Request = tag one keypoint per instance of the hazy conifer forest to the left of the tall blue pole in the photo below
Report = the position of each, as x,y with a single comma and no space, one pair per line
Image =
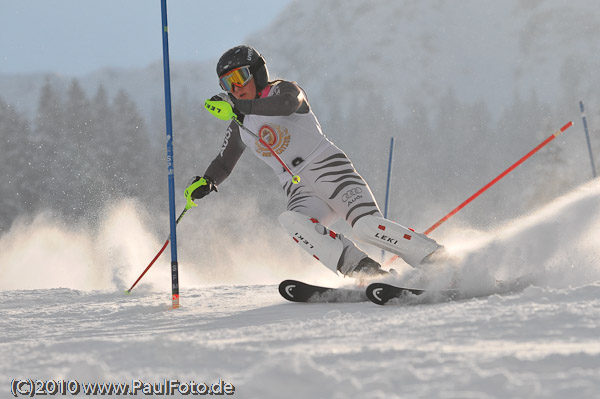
77,153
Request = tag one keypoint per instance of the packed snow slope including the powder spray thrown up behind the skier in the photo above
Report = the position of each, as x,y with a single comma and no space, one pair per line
64,315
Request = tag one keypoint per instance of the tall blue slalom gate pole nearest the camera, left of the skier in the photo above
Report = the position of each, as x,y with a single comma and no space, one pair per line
170,161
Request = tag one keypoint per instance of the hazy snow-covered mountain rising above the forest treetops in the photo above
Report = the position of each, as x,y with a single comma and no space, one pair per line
405,51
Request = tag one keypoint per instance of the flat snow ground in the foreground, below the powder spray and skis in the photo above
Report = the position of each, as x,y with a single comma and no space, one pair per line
540,343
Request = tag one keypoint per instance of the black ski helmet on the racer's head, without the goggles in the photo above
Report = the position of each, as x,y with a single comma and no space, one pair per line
245,56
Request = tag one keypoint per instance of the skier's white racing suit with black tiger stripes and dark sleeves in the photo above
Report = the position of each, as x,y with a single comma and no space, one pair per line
329,189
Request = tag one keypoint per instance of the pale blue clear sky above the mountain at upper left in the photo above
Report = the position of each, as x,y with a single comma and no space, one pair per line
76,37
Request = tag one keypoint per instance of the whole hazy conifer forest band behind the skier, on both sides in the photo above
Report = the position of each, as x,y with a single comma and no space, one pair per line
79,151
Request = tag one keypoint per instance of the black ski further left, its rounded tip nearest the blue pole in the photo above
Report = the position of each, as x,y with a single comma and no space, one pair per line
297,291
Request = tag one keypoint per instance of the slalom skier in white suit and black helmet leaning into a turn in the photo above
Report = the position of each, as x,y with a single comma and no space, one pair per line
328,188
